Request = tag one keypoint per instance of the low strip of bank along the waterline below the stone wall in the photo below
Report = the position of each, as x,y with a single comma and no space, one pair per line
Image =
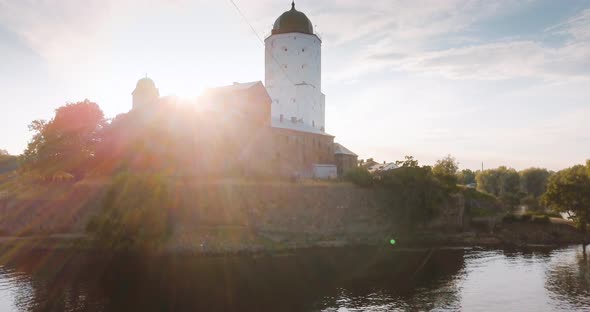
240,240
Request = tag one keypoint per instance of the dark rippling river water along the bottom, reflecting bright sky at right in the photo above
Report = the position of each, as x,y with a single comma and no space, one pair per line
343,279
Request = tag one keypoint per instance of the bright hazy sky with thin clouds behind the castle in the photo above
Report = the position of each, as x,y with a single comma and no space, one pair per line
492,82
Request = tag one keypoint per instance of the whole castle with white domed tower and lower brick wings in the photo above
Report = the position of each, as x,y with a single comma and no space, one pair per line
290,138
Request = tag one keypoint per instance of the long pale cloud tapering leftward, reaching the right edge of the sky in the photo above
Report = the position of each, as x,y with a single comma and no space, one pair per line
503,60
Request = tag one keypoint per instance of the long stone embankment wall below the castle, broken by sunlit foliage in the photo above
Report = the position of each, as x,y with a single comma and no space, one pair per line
314,208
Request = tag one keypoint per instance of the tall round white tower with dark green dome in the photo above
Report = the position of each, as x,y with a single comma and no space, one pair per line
293,73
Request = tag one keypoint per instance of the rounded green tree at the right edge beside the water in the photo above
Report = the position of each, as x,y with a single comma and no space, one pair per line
568,191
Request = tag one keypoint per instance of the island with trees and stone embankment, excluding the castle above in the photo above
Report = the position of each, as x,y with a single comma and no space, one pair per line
122,184
